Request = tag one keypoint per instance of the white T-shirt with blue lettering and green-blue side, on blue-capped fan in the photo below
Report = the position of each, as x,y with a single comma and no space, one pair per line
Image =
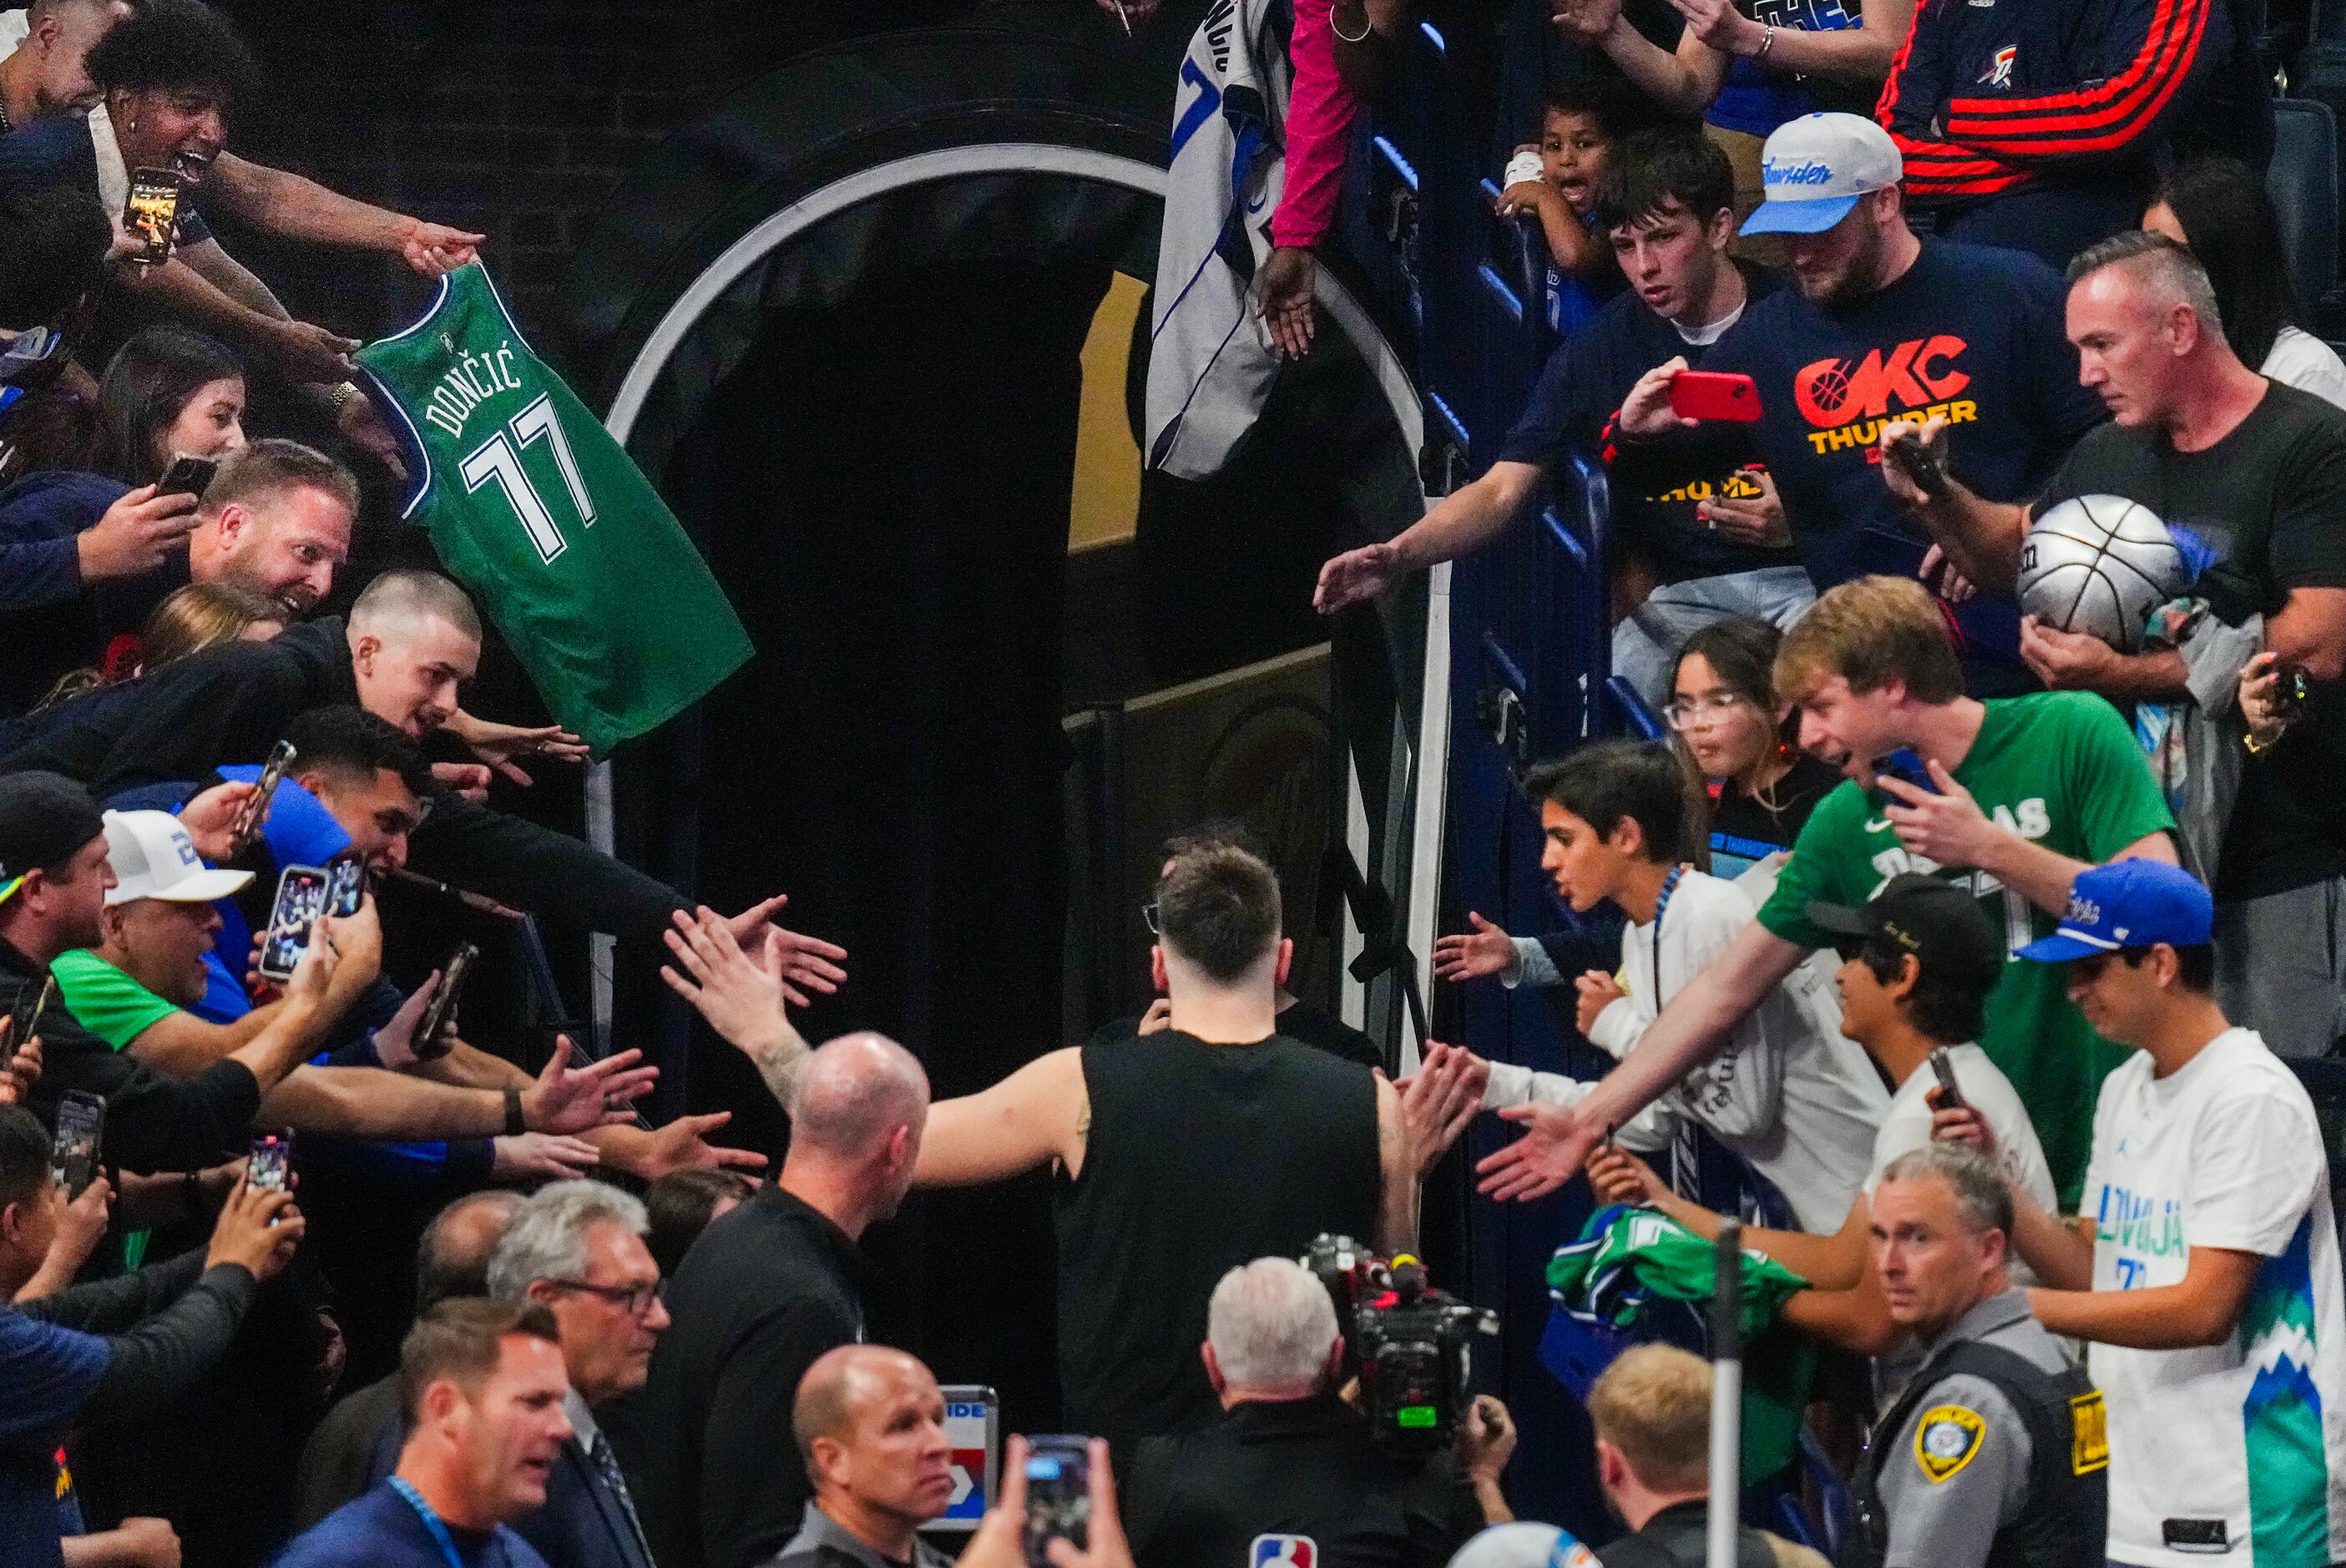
2239,1442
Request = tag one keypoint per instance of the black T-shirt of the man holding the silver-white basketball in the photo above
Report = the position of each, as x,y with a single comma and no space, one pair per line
2270,499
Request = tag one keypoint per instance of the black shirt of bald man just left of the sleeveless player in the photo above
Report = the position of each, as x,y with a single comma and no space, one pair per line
764,1292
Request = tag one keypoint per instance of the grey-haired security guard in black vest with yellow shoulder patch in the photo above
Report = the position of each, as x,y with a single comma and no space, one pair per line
1995,1457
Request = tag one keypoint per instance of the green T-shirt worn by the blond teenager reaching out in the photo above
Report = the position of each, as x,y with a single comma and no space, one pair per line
2066,773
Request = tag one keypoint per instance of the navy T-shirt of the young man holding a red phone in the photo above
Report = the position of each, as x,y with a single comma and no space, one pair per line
1655,487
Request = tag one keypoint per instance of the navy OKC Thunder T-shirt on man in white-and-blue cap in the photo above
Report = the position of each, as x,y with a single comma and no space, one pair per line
1972,334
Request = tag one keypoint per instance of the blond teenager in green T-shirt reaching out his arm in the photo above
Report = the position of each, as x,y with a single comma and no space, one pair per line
2023,795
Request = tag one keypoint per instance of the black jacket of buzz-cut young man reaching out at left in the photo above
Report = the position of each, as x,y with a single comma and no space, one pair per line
233,703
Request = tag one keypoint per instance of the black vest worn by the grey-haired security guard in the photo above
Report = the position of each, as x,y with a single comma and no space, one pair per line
2066,1522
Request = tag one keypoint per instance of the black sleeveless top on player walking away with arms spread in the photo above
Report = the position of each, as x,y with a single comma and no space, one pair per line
1200,1158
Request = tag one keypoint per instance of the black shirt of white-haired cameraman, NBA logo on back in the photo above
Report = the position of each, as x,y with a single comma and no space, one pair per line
1294,1468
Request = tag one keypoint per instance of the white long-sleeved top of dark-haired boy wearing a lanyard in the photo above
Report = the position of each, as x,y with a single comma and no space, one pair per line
1789,1093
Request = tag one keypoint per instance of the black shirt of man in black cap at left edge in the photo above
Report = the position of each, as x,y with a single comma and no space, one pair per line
154,1123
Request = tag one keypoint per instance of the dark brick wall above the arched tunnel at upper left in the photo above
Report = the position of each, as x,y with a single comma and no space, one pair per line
515,119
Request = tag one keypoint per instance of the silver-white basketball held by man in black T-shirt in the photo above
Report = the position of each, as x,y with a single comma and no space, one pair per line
2101,565
